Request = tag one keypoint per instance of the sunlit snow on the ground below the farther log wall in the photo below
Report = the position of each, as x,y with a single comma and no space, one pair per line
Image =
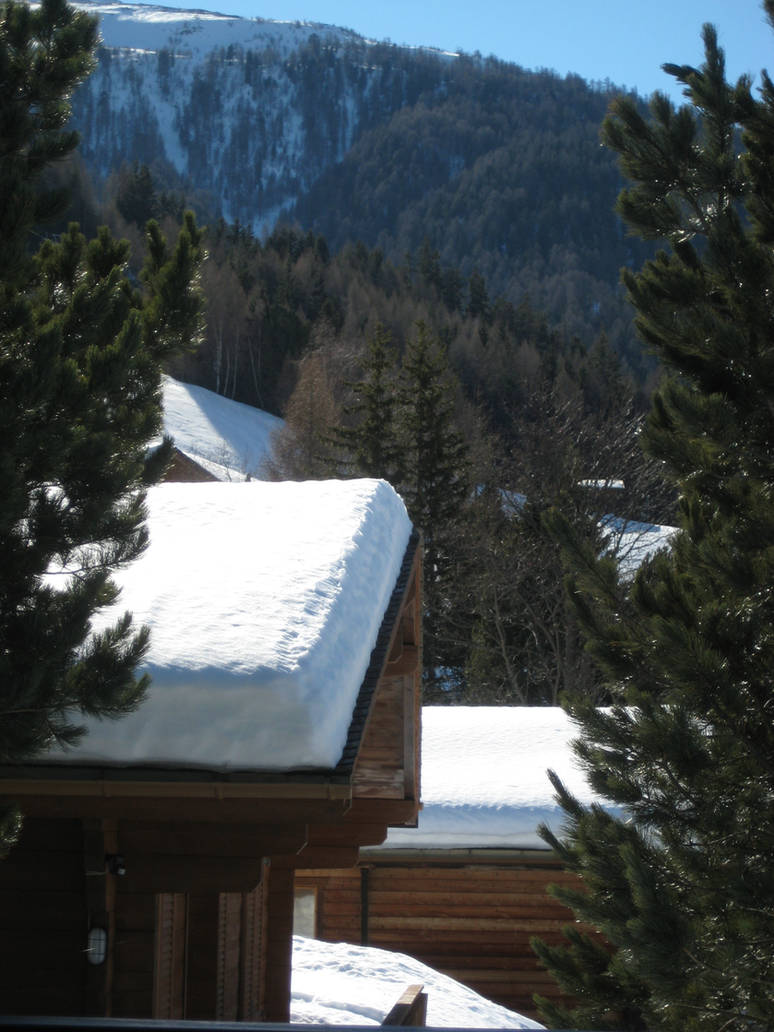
337,984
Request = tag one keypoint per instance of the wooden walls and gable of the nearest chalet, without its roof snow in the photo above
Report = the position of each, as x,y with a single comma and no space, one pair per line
145,889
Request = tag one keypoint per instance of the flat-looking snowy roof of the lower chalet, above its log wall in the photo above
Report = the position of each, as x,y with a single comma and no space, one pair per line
485,783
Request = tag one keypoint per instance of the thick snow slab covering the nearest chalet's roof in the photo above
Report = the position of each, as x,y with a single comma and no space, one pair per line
265,602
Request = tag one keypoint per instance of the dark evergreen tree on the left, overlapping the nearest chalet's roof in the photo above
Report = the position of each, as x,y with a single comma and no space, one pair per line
80,401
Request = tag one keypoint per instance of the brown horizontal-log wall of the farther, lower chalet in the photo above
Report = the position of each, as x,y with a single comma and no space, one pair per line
471,920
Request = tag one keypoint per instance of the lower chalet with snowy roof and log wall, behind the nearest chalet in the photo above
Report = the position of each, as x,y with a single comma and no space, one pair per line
466,890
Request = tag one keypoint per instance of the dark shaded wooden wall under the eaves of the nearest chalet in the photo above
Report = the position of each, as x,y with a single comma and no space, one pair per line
199,955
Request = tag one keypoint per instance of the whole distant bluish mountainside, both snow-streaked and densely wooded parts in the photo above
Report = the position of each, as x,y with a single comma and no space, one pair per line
498,169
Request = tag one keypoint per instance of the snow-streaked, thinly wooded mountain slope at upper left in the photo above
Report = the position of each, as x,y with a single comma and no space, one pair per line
249,110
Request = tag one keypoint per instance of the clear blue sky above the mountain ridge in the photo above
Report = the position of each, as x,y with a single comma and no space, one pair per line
624,41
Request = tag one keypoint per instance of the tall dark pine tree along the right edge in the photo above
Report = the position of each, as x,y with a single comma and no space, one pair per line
680,875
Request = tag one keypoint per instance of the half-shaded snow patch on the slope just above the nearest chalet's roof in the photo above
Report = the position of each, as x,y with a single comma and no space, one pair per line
228,439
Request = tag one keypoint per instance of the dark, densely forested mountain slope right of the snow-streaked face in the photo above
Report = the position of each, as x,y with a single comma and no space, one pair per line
502,172
